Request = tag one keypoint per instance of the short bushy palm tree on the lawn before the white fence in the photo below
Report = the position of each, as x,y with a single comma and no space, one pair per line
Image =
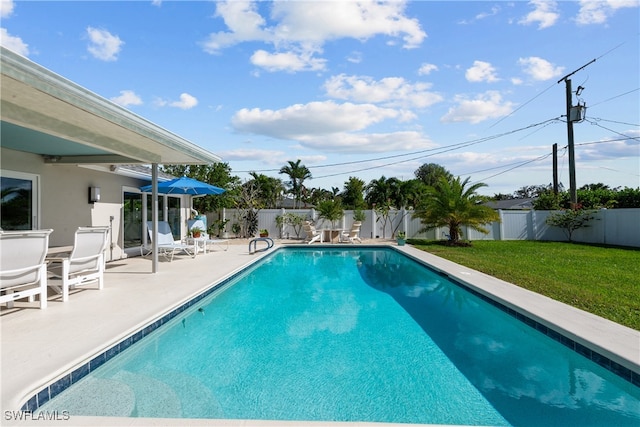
451,203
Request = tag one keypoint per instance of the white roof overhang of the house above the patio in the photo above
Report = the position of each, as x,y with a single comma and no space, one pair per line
46,114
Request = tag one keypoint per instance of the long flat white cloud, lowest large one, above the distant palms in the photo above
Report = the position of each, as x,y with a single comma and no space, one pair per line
315,118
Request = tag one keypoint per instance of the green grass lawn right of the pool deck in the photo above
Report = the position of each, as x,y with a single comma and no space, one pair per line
602,280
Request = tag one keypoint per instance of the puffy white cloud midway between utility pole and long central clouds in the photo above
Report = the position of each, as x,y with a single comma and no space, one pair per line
488,105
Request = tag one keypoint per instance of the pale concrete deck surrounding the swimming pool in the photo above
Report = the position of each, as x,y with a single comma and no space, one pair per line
39,346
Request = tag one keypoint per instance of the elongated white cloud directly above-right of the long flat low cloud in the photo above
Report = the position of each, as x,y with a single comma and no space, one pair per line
389,91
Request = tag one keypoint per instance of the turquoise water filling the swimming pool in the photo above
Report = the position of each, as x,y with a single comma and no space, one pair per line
352,335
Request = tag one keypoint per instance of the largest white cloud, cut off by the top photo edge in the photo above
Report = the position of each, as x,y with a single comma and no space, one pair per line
304,27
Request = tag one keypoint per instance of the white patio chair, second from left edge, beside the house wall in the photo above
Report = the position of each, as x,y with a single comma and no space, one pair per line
84,265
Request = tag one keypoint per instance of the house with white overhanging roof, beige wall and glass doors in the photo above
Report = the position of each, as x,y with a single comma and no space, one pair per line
62,145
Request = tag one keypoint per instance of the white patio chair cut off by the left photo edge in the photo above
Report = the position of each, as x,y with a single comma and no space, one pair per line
23,270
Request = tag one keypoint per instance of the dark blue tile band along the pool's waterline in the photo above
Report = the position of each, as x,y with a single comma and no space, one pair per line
55,388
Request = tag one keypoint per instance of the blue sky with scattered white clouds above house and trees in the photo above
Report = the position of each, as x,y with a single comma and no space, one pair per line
363,88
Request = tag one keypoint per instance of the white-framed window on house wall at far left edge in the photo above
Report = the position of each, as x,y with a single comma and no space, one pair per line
20,195
